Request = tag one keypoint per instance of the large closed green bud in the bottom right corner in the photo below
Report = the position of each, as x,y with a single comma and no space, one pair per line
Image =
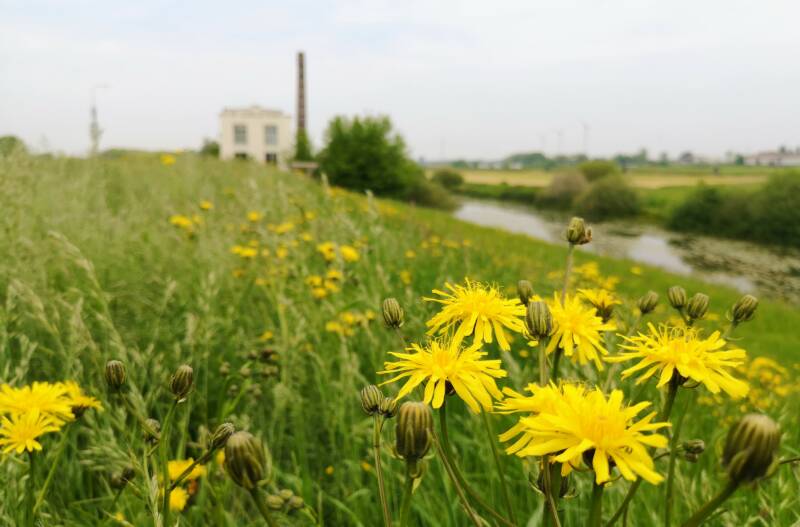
751,448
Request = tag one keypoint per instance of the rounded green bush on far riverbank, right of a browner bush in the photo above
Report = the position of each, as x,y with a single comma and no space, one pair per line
608,198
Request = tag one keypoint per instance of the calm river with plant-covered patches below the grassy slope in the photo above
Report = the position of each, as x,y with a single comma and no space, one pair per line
748,267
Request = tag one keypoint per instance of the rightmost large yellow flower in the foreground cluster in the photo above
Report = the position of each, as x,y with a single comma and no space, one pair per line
680,350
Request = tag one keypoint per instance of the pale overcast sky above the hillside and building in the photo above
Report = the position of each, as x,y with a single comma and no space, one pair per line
459,79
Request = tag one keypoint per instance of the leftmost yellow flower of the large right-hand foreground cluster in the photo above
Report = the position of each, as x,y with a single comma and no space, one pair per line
445,364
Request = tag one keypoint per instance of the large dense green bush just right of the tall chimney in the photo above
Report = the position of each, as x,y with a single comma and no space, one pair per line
366,154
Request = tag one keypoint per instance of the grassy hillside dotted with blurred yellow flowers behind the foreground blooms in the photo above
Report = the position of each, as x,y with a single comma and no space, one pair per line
223,266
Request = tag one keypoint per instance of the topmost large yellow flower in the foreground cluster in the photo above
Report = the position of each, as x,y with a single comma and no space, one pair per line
479,310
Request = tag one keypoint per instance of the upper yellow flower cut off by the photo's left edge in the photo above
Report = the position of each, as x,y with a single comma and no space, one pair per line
48,399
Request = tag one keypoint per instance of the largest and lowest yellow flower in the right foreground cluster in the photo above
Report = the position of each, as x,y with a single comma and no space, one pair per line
583,422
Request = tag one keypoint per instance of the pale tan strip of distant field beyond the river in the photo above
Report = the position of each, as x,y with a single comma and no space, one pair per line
642,178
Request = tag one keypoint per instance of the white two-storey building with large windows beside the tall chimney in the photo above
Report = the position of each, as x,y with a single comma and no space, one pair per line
256,133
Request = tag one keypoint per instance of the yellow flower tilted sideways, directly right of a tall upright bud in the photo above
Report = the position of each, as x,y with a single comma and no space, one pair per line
578,331
